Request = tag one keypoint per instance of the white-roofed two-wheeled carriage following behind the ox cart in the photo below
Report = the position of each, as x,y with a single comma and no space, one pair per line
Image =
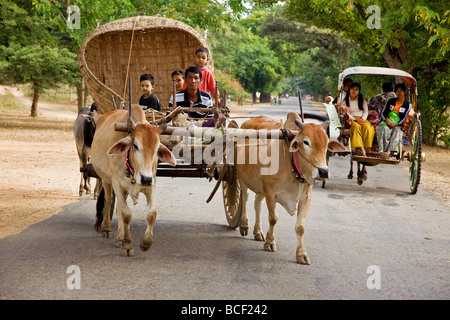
410,139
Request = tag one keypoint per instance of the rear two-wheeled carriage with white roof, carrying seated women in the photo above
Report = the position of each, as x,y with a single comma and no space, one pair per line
411,146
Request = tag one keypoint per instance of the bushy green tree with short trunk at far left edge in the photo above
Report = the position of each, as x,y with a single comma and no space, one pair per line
30,54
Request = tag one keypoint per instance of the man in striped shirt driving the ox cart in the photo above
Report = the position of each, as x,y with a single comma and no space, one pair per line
192,96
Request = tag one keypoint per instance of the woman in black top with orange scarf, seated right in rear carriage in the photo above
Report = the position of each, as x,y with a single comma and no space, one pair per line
389,132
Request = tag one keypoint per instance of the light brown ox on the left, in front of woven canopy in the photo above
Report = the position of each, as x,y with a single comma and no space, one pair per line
110,148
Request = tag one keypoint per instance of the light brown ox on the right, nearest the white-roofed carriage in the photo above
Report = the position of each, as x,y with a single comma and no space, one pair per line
309,148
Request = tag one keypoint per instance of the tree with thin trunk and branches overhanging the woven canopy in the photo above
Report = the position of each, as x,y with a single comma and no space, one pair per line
196,13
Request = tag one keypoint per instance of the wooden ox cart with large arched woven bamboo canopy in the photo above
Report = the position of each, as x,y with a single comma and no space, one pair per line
115,54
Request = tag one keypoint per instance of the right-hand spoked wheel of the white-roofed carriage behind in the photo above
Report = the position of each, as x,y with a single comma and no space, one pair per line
415,156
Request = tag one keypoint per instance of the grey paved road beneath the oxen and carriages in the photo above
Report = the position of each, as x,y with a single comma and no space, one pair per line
374,241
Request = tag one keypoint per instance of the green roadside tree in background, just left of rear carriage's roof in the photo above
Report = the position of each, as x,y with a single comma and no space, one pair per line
308,53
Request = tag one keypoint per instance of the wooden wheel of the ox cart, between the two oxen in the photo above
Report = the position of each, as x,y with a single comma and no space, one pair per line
231,192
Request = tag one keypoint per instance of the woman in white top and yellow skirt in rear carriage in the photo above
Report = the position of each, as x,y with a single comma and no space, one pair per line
361,131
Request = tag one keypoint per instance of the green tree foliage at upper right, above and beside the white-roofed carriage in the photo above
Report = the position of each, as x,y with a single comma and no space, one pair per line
413,36
